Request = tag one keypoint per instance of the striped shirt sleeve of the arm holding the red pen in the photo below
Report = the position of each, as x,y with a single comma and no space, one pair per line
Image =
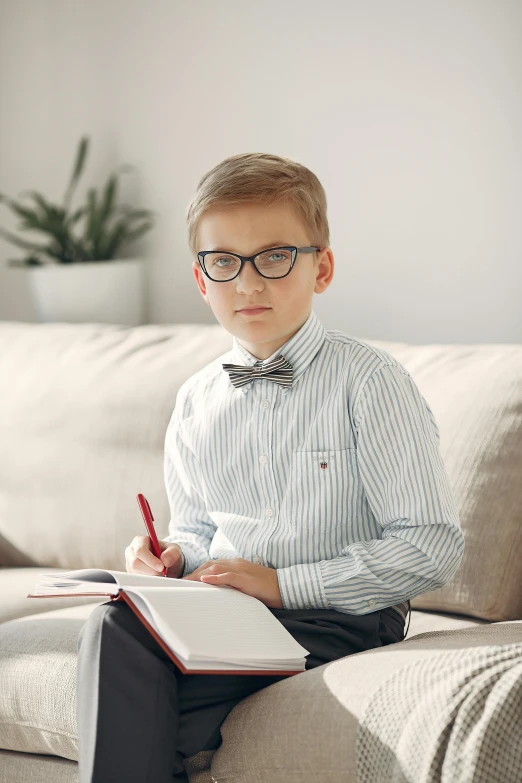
190,525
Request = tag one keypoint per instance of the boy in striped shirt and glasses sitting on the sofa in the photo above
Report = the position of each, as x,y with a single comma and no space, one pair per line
302,467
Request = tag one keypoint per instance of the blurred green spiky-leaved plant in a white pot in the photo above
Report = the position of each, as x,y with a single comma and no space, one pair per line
77,277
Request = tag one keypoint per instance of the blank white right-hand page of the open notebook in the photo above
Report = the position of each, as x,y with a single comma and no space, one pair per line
222,624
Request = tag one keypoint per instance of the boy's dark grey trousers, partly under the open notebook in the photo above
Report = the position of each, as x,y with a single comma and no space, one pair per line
139,716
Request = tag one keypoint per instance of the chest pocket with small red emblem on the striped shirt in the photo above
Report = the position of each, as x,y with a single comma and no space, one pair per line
323,489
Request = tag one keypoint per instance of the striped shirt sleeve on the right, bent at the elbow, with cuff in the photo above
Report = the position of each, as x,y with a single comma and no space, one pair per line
408,491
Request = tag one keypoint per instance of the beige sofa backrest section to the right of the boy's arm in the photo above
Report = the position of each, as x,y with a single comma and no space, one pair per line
475,392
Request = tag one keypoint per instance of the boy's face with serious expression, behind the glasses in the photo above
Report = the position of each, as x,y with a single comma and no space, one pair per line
247,229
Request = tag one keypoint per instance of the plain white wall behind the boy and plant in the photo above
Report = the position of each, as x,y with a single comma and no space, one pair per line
410,114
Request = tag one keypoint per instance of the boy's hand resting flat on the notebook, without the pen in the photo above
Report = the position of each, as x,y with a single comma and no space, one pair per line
251,578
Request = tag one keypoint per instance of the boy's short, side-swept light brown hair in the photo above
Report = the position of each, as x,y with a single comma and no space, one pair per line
257,177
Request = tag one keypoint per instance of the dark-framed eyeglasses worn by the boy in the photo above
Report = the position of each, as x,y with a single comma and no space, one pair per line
275,262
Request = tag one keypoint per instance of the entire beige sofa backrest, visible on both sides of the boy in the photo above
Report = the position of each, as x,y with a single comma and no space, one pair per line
84,411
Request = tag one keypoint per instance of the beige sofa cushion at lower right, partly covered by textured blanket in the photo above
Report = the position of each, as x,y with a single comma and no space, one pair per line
272,736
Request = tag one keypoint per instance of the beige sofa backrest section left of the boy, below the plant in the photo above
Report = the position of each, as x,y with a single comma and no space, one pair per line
83,415
